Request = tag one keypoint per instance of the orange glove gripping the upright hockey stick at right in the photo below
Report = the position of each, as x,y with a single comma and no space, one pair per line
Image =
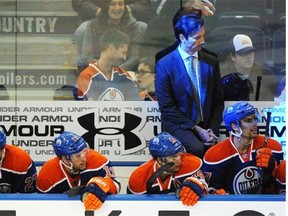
264,159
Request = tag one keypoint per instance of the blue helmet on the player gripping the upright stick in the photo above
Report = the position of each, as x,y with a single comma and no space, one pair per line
234,113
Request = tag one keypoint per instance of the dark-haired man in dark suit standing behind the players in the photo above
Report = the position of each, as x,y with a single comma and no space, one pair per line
194,124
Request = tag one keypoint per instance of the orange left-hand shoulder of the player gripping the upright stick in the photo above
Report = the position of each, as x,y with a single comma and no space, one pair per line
219,152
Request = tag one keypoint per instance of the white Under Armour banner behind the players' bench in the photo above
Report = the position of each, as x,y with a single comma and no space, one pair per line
119,130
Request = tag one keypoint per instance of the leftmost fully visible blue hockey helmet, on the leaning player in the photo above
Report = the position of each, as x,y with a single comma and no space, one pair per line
68,143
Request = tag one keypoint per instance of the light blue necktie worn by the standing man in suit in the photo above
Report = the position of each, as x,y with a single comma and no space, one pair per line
194,80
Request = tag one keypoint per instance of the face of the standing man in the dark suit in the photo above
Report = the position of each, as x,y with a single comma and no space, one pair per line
194,42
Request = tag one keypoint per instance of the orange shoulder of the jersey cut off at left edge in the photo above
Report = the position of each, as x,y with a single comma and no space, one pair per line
17,159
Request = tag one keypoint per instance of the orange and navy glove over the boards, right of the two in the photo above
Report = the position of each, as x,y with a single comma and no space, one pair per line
191,190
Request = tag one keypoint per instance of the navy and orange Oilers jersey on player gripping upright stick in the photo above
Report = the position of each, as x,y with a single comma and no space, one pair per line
226,168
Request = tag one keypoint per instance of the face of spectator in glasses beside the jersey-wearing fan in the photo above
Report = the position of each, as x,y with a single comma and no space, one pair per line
144,76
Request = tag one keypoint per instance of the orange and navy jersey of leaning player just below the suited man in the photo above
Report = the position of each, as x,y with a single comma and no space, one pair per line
137,181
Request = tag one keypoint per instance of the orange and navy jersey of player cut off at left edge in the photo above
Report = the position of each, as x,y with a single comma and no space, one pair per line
17,172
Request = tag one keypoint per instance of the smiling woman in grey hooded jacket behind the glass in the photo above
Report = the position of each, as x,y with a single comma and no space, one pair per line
114,14
